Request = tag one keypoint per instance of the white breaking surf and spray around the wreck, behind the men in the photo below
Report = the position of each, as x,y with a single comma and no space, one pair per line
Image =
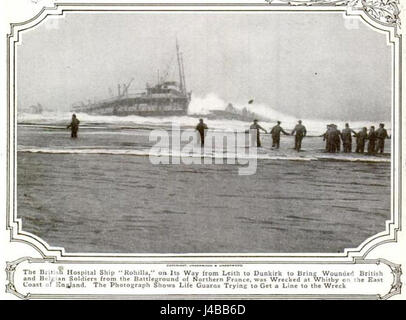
198,107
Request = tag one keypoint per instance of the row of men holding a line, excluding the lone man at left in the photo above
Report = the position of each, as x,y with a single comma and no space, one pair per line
333,137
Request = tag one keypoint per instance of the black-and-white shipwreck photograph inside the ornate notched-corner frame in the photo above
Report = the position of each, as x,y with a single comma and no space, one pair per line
204,132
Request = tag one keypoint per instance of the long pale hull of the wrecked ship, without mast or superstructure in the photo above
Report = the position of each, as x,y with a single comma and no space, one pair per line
139,106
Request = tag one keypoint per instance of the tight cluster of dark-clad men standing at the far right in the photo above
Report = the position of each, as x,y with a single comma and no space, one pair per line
375,138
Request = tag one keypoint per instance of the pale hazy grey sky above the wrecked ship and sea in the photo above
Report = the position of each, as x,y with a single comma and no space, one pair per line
304,64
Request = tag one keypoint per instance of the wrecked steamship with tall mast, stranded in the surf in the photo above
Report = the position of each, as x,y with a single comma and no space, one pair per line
166,98
